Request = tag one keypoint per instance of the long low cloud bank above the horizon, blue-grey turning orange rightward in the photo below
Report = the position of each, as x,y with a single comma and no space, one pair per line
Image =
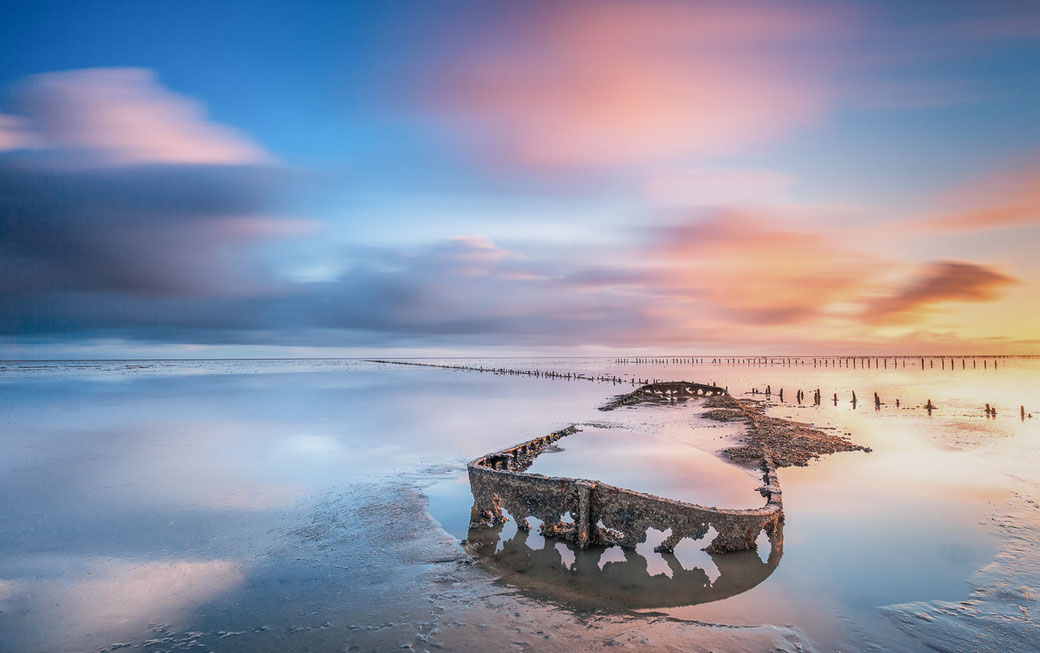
717,278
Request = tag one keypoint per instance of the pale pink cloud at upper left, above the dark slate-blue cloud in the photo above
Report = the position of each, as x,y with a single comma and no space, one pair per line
120,117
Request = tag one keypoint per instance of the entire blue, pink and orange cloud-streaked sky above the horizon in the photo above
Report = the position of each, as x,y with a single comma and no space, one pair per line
263,179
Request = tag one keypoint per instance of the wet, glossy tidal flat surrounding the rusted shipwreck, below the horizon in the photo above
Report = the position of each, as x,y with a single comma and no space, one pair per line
323,505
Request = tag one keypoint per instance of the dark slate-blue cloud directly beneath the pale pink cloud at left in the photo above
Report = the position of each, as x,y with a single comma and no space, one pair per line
148,230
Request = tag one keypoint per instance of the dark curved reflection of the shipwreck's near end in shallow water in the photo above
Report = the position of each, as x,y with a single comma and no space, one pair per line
586,582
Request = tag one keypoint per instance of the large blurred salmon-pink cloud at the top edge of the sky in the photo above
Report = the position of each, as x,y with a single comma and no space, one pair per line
604,85
